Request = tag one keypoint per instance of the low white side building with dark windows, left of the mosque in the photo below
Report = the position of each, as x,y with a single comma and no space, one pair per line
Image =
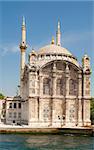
13,110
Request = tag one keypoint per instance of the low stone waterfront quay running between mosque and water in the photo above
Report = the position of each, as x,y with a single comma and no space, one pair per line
26,129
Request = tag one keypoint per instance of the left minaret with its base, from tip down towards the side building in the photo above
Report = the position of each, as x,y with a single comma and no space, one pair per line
23,47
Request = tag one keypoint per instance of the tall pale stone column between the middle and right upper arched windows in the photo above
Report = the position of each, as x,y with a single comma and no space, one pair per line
67,95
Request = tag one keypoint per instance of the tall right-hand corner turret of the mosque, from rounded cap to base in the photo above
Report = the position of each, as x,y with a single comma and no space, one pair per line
86,90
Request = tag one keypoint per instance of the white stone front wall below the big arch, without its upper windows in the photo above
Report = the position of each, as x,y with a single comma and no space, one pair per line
54,110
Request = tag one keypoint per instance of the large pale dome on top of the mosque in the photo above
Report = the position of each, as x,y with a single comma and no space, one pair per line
53,49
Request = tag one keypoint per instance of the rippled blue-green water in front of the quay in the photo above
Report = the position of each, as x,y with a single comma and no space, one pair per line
45,142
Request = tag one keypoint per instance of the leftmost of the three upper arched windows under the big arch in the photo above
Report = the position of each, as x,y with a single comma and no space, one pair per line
47,86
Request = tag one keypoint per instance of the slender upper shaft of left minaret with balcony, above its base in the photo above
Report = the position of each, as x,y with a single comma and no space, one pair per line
23,46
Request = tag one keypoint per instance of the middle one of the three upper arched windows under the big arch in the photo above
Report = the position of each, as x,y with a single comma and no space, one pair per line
60,87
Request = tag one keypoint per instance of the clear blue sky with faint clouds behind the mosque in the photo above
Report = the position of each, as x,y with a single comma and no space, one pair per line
77,27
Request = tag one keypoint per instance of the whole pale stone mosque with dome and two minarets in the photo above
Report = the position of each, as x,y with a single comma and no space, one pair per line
54,88
